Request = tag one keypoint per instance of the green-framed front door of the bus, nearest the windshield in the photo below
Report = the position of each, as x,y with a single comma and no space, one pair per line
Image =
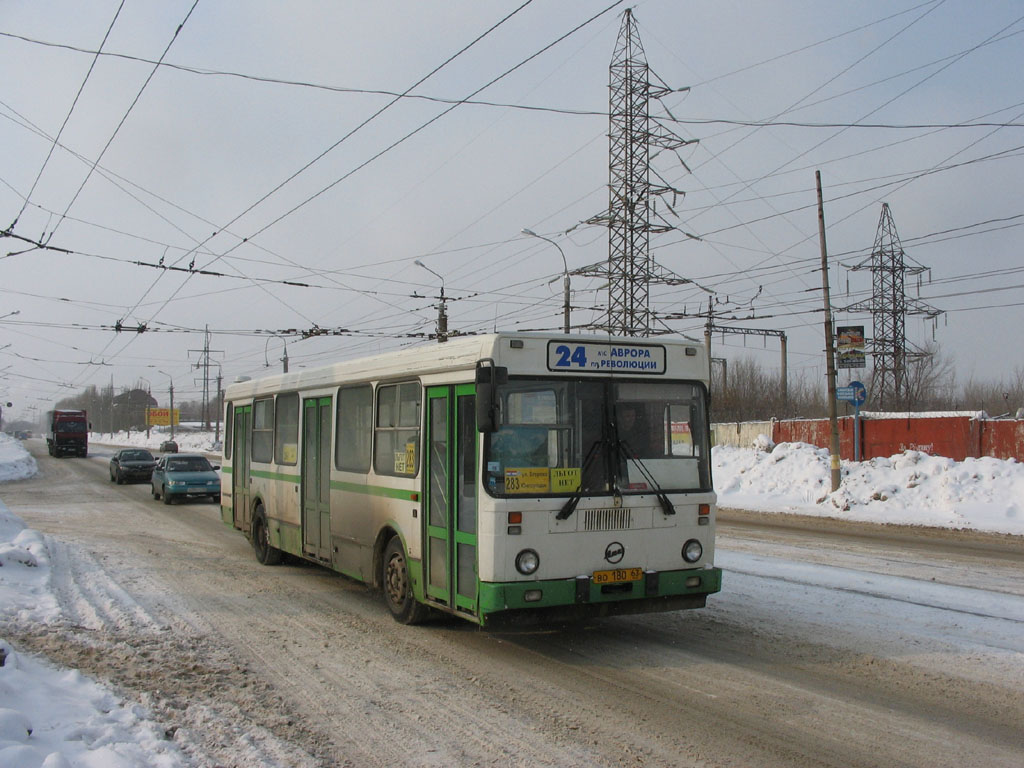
450,490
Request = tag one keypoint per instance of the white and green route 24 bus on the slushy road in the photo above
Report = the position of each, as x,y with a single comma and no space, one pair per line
500,479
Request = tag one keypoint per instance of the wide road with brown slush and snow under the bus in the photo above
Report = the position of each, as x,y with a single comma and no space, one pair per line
830,646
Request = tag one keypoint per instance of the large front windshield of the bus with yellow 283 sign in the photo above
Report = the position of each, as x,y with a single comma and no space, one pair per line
560,438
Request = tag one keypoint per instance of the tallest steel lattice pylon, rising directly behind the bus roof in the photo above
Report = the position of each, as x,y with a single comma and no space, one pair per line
635,139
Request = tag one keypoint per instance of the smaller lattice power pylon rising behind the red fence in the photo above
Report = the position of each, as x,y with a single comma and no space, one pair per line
889,308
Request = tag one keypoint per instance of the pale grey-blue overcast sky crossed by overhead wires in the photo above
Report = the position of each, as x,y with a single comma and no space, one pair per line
271,149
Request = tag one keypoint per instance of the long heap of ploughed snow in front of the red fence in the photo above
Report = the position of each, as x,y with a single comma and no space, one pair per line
910,489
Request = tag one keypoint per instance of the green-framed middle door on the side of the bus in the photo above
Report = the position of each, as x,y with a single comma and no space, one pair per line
317,478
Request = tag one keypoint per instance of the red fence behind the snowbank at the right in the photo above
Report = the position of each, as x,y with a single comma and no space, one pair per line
956,436
